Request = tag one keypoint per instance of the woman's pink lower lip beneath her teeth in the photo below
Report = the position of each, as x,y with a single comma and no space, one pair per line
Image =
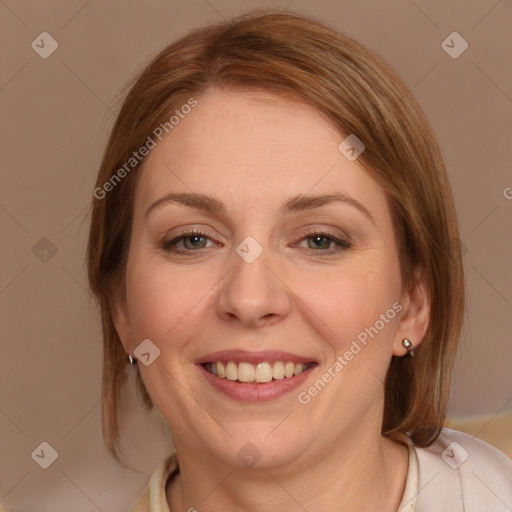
255,391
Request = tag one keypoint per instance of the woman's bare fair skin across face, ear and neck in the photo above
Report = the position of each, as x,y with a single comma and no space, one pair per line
253,150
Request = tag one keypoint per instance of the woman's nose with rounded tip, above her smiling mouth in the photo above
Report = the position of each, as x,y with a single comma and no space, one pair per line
253,294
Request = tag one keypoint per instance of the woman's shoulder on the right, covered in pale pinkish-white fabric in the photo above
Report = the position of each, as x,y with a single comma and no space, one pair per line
461,472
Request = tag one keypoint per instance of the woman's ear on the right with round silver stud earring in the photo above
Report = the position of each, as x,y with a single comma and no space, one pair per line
415,315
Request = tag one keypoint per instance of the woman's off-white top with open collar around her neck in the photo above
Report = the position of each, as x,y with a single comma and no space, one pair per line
456,473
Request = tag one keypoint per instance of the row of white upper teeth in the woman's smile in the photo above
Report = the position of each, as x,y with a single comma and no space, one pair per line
262,372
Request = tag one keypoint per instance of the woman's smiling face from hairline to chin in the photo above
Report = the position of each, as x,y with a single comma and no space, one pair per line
274,277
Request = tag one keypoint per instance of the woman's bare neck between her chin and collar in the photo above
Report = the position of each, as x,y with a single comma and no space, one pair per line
359,472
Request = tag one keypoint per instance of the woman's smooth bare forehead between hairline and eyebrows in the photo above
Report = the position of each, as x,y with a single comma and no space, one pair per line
253,145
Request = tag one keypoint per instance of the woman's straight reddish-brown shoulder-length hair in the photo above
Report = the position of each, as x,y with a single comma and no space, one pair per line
360,94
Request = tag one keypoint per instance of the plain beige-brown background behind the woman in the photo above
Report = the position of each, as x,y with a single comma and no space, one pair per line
56,114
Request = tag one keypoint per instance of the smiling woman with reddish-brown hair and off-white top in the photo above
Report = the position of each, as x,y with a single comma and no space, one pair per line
272,247
